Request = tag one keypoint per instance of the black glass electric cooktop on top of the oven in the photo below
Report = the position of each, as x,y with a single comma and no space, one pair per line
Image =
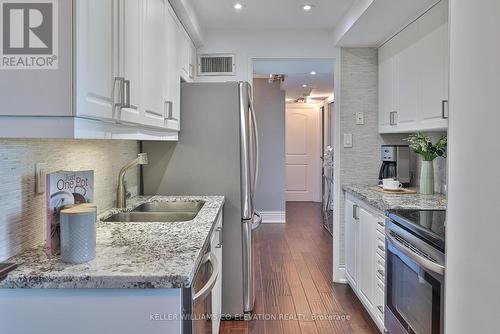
429,225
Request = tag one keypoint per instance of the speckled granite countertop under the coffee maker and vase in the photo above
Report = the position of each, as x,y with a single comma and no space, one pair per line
383,201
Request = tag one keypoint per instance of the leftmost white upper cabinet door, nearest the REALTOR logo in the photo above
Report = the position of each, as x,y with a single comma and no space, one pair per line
96,58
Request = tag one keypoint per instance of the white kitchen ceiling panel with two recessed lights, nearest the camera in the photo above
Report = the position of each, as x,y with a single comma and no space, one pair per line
270,14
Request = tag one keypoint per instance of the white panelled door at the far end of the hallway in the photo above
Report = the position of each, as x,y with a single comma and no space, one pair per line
303,152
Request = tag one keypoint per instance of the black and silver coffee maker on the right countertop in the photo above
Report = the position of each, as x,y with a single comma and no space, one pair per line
395,164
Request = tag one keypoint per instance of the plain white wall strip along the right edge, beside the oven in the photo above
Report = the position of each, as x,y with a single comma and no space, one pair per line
473,229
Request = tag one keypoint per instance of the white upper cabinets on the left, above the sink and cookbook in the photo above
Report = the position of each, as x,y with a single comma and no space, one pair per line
118,77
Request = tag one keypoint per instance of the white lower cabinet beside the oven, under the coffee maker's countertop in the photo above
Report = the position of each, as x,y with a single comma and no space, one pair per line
365,256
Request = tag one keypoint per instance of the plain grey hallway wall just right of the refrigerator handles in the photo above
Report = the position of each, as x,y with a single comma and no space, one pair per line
269,102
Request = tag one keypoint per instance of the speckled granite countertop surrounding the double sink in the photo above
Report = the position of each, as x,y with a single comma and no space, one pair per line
128,255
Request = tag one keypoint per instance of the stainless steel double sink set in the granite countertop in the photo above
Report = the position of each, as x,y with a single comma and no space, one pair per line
178,211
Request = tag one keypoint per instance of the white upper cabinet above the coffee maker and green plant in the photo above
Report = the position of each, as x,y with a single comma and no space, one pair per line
413,75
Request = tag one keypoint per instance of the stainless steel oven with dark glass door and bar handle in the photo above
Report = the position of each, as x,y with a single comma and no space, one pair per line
414,278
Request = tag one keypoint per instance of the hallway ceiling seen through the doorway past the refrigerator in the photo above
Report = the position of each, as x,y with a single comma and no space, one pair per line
298,72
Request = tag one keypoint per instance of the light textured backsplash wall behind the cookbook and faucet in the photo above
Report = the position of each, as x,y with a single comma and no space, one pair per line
22,222
